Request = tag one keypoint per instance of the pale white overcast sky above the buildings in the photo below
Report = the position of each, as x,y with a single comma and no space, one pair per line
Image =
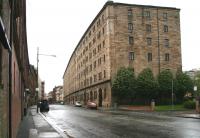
56,26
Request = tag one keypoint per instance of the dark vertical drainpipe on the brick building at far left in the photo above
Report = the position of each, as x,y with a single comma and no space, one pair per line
10,70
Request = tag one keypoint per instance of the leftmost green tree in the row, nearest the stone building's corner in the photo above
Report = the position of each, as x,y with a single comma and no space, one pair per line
123,85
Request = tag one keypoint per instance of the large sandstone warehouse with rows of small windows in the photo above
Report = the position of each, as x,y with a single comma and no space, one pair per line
122,35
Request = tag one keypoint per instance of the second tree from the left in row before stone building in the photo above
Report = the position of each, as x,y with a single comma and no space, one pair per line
147,86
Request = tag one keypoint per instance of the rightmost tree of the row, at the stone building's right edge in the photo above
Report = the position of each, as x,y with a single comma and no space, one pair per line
184,84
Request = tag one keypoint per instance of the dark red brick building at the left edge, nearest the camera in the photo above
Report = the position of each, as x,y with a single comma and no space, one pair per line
14,66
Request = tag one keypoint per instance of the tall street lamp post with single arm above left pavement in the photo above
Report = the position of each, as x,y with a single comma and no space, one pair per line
37,89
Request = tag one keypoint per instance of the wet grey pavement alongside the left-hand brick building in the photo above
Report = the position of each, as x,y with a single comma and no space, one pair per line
35,125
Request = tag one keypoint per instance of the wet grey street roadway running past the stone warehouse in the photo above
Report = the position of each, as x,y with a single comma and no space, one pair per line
79,122
